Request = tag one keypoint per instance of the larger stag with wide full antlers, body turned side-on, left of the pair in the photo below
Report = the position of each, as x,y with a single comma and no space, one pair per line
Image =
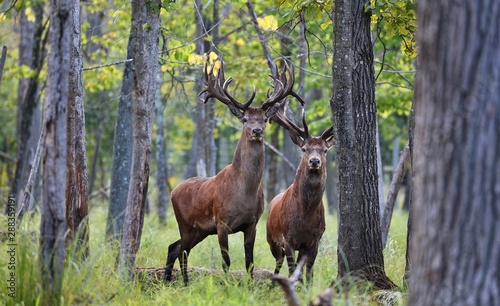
233,200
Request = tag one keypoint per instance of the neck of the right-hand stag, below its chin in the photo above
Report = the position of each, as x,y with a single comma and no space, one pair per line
310,185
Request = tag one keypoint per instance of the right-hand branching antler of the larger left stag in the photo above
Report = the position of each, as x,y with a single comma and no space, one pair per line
283,87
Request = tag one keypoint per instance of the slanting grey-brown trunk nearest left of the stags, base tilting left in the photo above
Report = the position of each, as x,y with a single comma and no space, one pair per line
144,37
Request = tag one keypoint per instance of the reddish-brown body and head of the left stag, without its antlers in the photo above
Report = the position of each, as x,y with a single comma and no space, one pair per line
230,202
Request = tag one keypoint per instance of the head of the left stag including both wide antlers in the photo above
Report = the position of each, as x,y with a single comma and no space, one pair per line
253,118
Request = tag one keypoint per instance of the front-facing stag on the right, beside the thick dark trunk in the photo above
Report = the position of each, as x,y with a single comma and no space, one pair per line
296,219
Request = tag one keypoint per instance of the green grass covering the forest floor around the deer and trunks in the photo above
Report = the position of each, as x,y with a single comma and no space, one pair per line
96,282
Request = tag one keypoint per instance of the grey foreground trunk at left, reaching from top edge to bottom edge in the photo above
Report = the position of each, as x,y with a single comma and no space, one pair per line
53,219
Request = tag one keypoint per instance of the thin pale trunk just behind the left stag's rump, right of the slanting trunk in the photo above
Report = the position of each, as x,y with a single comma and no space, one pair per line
161,157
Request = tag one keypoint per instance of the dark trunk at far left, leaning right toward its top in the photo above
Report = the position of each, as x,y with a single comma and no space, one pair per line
31,50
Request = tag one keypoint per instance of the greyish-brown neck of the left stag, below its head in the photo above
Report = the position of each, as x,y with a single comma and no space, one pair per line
248,160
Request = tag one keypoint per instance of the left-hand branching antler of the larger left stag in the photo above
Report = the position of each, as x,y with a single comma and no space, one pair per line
217,88
